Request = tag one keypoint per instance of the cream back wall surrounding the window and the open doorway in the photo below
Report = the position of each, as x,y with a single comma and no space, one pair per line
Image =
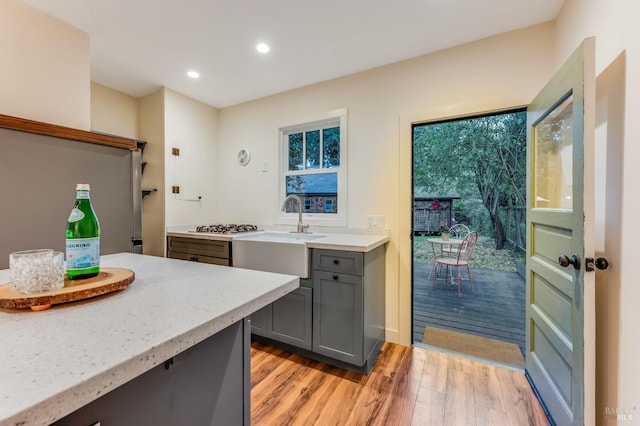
500,72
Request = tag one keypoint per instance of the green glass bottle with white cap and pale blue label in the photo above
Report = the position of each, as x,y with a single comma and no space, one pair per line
83,237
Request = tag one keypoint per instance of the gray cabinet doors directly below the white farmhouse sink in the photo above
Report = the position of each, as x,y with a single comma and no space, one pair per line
288,319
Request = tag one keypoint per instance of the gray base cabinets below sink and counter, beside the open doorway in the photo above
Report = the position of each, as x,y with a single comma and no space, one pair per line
340,319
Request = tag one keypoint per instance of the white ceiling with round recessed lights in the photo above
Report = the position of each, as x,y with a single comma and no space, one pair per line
138,46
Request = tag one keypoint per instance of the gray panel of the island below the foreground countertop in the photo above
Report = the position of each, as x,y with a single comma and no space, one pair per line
208,384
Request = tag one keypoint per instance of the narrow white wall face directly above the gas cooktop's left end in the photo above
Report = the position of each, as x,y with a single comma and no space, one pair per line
190,126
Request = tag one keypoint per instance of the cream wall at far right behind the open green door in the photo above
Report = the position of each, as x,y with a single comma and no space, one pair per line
614,23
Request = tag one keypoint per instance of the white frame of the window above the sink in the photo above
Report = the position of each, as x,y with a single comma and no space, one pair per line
338,117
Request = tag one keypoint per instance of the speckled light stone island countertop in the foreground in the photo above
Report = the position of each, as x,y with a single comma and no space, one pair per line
55,361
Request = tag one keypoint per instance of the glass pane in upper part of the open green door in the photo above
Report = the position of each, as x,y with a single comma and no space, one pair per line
553,163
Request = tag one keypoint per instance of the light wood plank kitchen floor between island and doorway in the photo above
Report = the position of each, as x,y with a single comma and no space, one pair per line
407,386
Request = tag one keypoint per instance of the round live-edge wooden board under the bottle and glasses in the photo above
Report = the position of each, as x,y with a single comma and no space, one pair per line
108,280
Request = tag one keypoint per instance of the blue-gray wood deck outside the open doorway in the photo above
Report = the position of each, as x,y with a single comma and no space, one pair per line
496,308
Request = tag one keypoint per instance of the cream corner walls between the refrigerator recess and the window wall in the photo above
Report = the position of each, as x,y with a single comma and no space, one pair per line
165,120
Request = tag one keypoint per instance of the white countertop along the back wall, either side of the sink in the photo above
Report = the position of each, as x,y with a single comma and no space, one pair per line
348,241
